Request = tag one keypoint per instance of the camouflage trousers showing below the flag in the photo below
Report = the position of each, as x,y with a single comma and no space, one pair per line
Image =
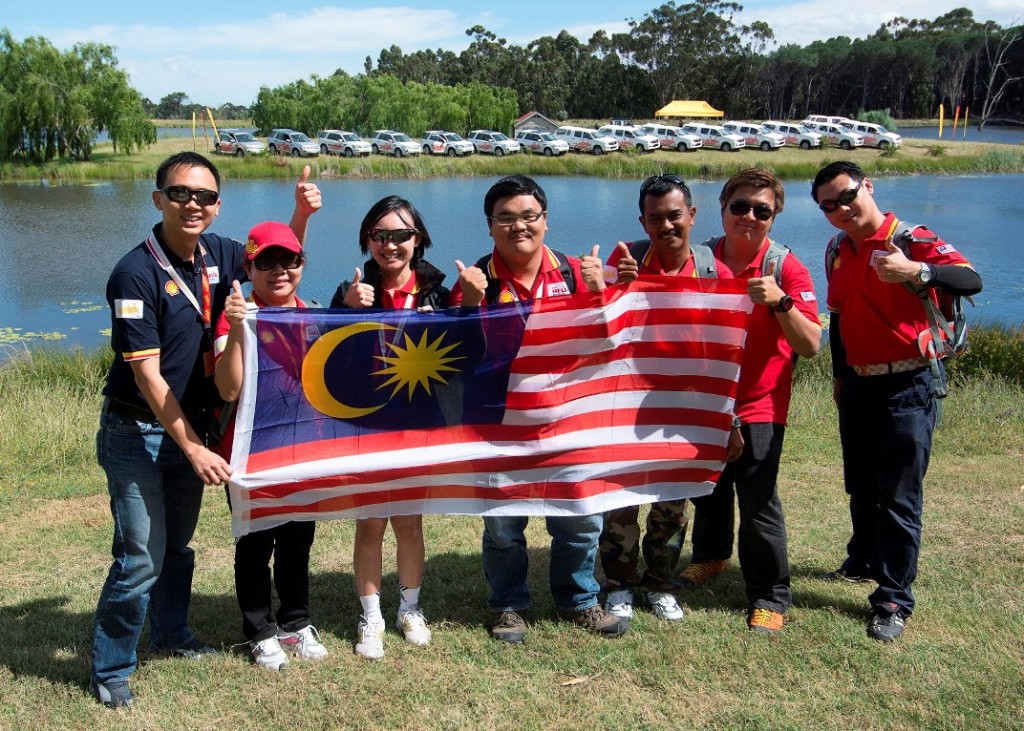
620,546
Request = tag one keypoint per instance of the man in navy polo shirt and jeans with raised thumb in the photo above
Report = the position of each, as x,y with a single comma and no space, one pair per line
164,295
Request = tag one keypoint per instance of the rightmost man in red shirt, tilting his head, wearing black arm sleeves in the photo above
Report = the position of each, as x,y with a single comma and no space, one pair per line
883,383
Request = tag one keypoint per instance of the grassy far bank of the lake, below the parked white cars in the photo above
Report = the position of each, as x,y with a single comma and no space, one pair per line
915,158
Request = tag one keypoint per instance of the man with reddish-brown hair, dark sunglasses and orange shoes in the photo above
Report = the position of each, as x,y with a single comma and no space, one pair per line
784,324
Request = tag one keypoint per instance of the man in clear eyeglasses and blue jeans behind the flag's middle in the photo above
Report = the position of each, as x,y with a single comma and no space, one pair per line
522,268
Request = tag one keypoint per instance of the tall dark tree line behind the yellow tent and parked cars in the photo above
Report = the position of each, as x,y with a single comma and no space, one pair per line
697,51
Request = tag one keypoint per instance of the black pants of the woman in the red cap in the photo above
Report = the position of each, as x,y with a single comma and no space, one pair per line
289,544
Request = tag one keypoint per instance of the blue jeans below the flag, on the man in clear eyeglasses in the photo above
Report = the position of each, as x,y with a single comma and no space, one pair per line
574,551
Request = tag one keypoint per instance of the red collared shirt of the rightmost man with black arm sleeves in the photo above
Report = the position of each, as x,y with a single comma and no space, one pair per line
881,322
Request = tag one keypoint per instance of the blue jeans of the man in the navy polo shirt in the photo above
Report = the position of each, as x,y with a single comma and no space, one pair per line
155,501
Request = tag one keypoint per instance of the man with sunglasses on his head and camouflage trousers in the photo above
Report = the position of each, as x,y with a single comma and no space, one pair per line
667,214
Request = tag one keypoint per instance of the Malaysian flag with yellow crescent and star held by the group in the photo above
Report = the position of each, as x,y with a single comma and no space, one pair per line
566,406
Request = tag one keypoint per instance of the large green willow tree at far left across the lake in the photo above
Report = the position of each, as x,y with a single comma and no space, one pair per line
54,104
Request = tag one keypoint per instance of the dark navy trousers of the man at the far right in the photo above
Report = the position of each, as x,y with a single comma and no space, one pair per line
886,425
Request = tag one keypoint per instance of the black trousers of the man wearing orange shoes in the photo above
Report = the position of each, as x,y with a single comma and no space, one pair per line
762,548
